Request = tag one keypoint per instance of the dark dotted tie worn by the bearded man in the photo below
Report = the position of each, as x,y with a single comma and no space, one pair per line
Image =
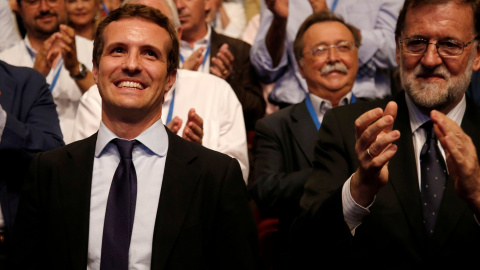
434,175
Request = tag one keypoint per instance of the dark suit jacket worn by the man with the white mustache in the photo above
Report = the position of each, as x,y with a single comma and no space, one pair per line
283,160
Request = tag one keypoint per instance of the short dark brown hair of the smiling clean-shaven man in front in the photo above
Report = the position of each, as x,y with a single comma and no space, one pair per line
142,12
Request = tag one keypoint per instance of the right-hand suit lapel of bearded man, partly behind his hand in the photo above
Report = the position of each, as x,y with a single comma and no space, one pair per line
452,207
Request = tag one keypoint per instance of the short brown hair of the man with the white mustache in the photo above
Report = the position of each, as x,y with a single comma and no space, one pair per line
318,17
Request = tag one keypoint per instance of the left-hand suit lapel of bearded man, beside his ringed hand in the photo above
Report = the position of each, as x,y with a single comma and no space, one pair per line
403,171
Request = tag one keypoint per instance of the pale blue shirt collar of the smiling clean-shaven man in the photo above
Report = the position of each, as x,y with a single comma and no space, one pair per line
154,138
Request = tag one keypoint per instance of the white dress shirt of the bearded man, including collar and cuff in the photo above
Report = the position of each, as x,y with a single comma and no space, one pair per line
353,212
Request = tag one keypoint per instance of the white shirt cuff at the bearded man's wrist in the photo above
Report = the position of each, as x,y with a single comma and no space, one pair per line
353,213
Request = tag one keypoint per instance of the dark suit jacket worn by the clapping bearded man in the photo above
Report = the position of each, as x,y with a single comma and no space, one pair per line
392,236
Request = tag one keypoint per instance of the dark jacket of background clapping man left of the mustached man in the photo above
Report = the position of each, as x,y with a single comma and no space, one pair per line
242,79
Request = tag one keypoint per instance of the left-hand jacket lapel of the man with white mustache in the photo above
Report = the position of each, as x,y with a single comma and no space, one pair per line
303,130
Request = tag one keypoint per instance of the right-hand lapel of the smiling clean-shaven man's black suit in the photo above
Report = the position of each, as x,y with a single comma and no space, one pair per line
179,184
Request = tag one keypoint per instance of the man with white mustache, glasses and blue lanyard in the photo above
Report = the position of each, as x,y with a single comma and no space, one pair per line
327,56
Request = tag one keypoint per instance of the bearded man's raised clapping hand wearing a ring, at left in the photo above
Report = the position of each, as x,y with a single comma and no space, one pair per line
374,148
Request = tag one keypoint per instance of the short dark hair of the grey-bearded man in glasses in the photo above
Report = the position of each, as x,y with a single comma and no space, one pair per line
410,4
